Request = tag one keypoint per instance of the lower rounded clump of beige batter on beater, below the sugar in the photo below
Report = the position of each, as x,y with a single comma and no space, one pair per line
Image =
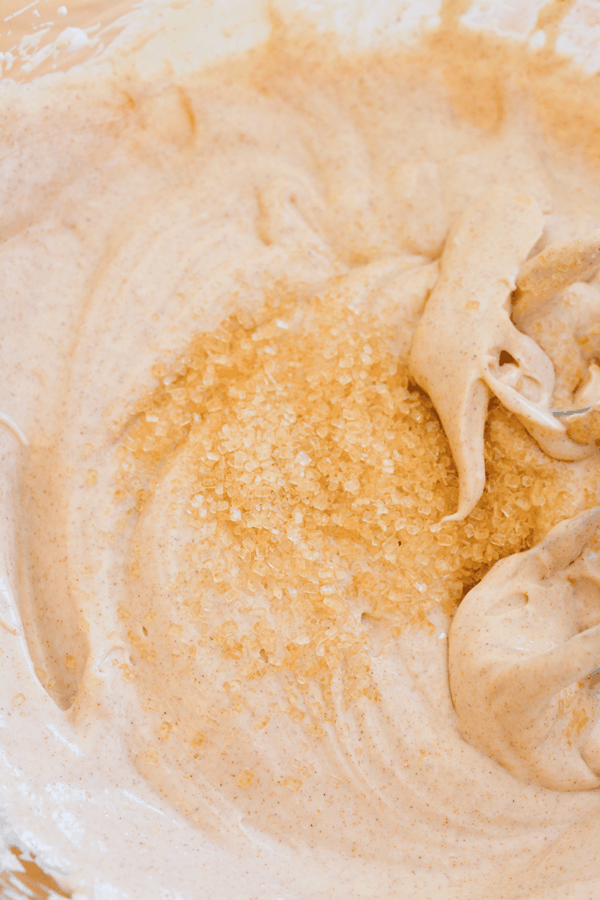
520,650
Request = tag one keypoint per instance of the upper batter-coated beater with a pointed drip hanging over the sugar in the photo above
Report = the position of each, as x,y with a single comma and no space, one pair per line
466,326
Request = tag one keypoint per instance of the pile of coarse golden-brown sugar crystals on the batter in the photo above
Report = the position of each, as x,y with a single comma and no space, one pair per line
324,502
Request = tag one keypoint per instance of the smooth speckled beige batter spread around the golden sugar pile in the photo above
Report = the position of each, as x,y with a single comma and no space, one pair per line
131,221
